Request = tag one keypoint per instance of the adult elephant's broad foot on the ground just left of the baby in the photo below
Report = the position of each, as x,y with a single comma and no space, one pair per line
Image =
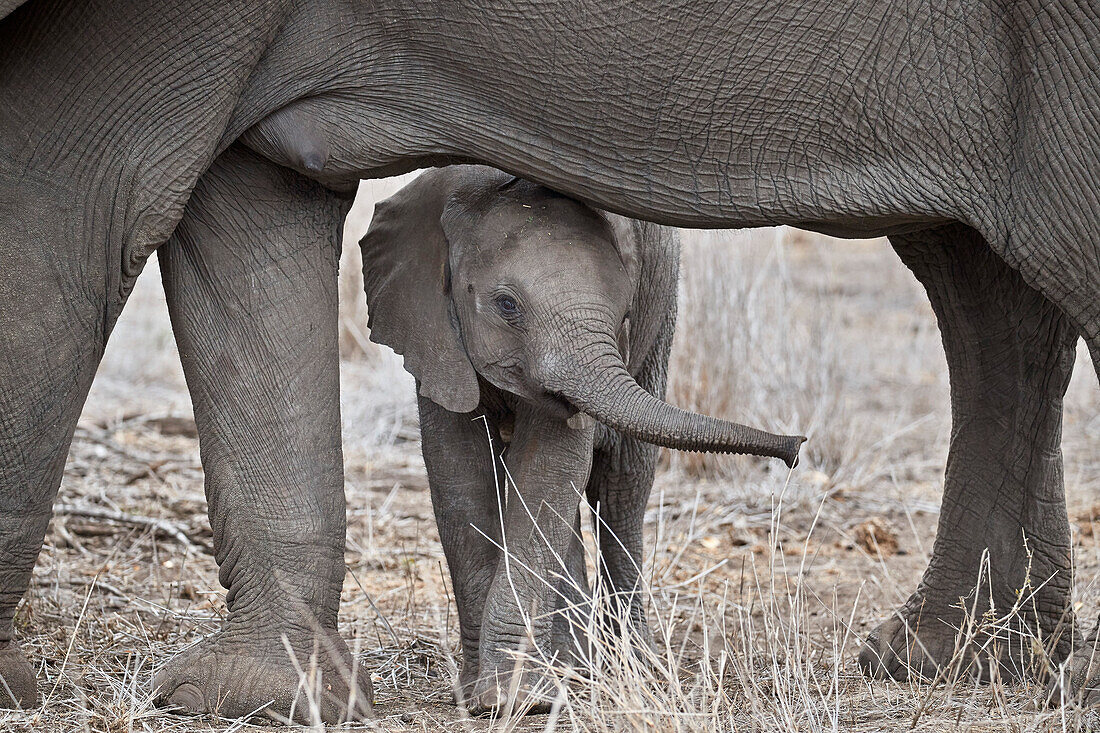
245,679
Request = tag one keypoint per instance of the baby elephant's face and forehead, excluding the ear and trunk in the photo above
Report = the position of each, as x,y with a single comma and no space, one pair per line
538,281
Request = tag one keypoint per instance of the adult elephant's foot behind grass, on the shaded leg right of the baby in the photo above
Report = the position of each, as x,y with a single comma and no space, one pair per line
922,644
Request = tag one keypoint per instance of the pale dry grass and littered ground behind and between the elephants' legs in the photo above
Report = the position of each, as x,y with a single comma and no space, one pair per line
762,584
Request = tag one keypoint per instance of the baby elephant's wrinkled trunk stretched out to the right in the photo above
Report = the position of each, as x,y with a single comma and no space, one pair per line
604,389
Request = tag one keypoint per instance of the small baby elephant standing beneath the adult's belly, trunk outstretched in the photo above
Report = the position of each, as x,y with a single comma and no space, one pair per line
523,315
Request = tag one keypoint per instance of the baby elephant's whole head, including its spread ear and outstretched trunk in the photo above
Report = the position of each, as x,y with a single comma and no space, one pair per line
472,272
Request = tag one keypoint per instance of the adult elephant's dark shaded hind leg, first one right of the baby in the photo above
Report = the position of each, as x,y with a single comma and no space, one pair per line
1010,354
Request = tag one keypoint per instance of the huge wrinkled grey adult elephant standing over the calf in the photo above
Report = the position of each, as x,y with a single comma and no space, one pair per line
234,133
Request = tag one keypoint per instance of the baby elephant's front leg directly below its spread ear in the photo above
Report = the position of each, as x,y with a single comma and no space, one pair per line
465,496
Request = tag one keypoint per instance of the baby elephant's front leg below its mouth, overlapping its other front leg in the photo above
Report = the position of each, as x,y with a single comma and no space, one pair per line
536,603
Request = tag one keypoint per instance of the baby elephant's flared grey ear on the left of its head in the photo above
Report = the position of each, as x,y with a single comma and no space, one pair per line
409,294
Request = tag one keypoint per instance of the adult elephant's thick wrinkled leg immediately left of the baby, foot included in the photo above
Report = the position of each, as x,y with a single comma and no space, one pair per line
251,280
